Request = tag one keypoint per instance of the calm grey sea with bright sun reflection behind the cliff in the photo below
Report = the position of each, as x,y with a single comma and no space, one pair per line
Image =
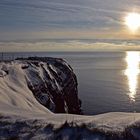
108,81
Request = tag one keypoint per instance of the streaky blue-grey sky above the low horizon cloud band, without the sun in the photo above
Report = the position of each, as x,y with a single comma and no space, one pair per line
78,19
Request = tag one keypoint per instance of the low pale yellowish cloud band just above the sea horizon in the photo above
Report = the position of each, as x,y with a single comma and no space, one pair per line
70,45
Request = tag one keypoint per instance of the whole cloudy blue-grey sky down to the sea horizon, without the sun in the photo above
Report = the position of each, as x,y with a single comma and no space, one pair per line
25,23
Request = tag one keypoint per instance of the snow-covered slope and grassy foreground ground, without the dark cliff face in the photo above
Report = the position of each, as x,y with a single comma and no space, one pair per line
23,117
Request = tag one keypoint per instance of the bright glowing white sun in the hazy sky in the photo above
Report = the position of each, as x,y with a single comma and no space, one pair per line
132,20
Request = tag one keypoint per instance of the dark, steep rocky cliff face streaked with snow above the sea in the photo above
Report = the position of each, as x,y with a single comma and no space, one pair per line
53,84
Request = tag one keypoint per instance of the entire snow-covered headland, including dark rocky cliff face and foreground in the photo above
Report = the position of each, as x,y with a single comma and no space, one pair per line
28,86
